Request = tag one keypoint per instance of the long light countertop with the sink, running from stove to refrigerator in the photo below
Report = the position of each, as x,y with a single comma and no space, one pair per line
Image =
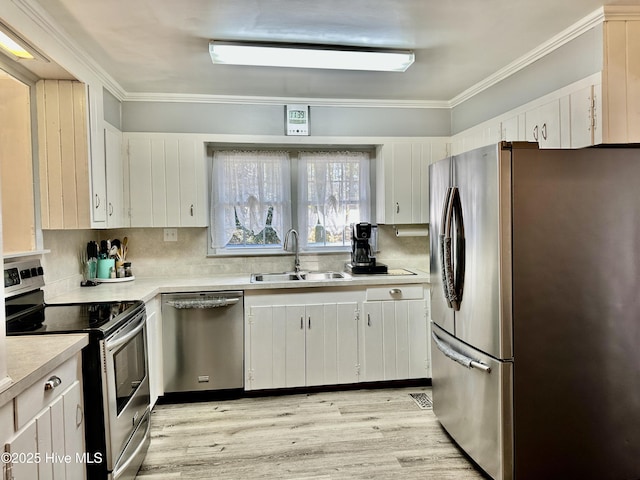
148,287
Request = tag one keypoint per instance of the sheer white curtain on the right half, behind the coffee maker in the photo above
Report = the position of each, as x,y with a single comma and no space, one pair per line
334,192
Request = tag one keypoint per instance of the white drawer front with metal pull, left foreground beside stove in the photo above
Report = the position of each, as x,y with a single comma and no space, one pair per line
37,397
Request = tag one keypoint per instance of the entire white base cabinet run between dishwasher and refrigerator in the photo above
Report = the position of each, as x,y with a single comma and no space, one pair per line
331,337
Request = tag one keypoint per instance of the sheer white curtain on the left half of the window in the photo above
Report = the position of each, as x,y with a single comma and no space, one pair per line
252,189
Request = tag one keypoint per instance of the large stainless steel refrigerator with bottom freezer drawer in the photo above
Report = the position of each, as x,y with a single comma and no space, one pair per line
535,307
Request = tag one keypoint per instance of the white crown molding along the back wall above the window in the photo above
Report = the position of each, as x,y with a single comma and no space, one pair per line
258,100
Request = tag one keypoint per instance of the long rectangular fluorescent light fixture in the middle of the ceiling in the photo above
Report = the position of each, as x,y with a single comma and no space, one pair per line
309,56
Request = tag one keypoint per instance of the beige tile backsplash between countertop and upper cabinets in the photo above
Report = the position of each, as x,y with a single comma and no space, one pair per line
151,256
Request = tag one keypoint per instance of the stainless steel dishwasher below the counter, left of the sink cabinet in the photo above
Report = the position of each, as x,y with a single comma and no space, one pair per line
203,341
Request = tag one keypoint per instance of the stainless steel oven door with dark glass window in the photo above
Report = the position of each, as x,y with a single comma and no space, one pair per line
126,384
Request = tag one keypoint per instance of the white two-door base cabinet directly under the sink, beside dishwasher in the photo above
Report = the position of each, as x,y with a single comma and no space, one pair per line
300,339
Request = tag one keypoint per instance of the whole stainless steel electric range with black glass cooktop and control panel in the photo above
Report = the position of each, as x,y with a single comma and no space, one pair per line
114,366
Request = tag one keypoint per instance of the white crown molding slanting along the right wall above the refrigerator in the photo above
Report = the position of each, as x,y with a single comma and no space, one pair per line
537,53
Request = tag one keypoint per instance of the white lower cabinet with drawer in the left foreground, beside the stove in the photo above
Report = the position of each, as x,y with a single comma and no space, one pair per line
48,439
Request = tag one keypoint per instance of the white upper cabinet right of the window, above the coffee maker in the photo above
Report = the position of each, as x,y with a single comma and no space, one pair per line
402,177
